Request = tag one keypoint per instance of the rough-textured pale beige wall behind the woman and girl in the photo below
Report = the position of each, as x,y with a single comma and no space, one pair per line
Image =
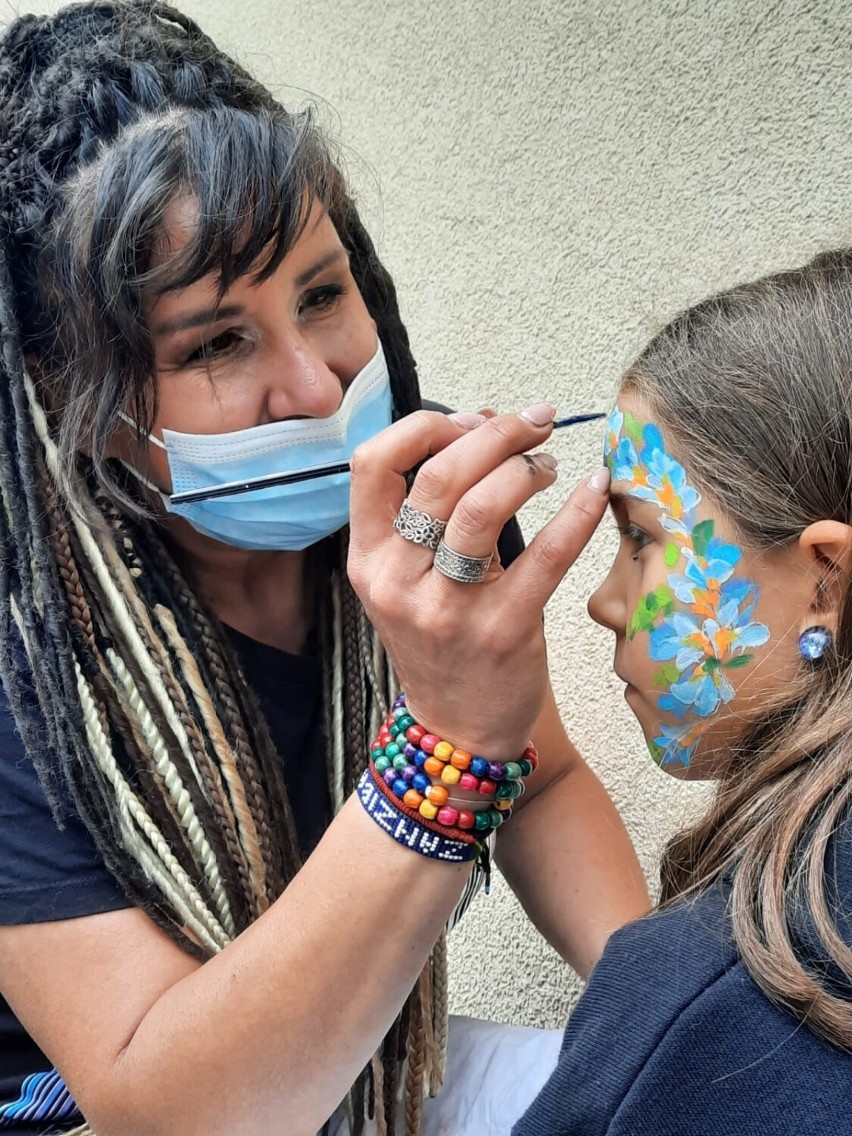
548,182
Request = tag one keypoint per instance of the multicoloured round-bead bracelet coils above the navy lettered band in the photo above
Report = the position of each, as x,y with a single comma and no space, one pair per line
408,758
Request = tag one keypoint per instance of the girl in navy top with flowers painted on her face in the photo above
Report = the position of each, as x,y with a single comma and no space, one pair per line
729,1012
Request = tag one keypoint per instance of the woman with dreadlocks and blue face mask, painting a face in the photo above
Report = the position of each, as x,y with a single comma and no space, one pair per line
222,912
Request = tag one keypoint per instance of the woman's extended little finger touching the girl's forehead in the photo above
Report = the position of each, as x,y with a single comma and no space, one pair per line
537,574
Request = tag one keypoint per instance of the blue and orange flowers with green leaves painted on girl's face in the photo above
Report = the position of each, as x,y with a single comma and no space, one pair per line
700,622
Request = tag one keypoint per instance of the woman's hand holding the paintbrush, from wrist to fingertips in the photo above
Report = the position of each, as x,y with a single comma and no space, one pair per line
471,657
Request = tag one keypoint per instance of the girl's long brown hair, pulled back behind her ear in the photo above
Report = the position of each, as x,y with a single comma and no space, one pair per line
755,389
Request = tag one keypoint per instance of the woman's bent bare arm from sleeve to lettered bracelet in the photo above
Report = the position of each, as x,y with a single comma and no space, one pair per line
269,1035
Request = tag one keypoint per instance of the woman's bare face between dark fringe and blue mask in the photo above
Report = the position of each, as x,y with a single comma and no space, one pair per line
286,348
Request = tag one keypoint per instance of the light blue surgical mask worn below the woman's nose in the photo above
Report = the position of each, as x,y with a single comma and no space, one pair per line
286,517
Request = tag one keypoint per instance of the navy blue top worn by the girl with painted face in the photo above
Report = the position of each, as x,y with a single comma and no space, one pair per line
674,1039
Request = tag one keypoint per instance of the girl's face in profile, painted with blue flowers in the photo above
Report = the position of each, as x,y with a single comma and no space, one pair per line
706,630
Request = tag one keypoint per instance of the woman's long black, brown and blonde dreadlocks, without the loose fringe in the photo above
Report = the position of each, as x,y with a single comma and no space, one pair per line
124,688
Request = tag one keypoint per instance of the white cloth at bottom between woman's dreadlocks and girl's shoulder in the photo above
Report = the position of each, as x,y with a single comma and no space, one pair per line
494,1073
